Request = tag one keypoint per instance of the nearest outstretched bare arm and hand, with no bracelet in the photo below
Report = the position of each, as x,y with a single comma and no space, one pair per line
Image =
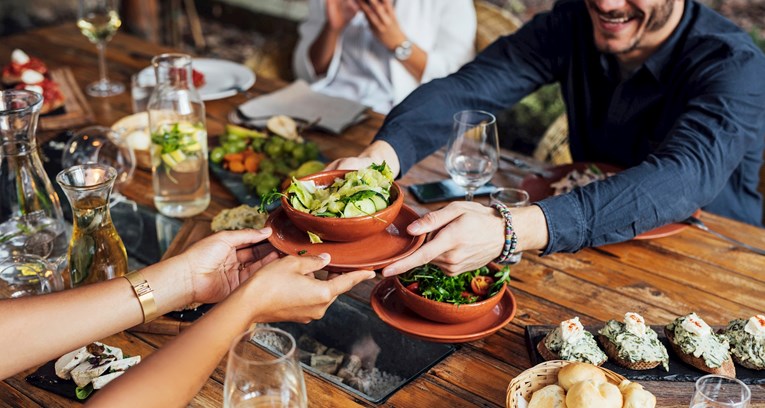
270,295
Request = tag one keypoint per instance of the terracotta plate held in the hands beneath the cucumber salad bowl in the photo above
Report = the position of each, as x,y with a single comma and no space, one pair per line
374,252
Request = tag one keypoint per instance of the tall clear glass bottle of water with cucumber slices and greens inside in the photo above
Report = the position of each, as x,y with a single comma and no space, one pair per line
179,139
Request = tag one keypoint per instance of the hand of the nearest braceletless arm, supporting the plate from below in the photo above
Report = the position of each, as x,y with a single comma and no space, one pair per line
287,290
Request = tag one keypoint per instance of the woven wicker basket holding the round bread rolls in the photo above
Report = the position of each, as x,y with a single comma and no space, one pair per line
541,375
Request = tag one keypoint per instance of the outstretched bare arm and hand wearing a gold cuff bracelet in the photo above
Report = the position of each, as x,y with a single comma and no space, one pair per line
54,324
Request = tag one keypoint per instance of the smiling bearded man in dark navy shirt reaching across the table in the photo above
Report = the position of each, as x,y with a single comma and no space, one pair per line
668,90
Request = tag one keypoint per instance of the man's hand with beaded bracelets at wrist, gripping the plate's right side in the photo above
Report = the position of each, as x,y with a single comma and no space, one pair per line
467,235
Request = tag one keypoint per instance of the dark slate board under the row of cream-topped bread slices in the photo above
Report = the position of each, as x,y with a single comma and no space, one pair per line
678,370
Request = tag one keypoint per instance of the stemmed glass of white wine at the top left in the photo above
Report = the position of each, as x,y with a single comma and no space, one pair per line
98,20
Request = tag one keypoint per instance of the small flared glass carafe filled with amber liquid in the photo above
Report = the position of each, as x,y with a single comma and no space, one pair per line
96,252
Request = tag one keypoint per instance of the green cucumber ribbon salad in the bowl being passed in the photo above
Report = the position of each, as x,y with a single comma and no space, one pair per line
359,193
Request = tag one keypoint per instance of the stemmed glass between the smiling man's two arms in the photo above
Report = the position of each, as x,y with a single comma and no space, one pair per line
473,150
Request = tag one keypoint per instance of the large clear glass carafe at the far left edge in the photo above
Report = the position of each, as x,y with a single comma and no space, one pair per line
31,221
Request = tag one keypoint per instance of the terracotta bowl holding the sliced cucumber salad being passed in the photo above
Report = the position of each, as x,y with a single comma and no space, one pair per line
344,229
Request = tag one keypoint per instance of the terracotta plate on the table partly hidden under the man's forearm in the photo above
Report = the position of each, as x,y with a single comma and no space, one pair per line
539,188
